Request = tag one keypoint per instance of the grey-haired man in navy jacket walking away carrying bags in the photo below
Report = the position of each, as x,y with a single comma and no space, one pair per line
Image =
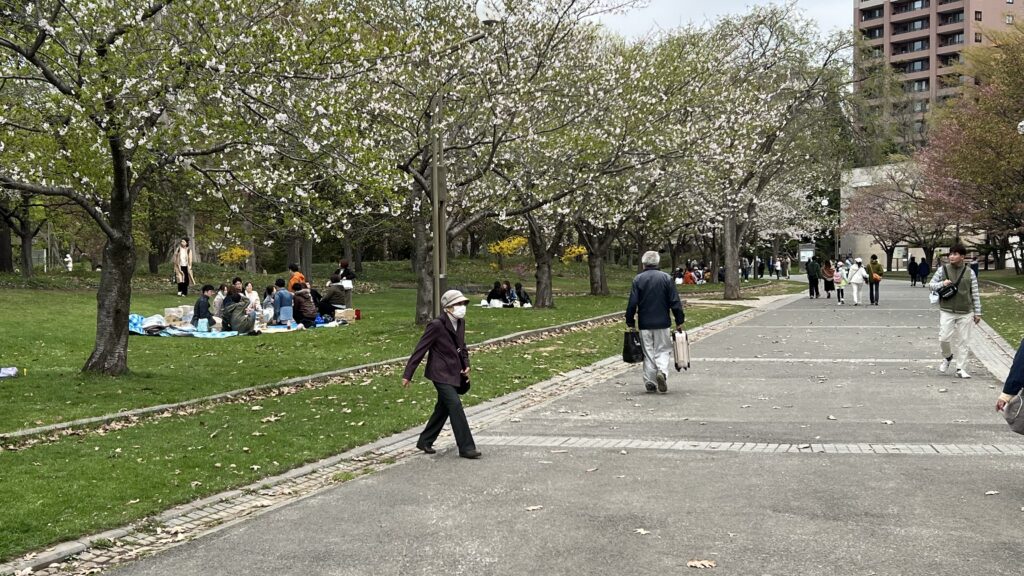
652,298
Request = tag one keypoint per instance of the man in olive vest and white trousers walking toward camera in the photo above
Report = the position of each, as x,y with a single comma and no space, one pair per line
959,312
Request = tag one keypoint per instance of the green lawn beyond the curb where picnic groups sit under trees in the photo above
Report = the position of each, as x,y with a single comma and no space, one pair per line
53,348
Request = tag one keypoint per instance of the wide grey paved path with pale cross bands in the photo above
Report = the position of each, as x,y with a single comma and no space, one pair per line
813,439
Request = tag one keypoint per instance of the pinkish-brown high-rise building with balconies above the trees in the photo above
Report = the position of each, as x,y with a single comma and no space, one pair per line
923,39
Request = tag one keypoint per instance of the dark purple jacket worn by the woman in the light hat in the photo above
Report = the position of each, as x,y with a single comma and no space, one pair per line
448,352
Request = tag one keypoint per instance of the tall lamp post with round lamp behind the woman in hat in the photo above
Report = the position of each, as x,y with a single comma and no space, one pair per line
490,13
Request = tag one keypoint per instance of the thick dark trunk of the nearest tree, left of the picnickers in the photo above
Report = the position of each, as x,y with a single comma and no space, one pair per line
113,303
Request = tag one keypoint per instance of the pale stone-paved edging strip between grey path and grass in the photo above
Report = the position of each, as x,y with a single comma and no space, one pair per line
202,517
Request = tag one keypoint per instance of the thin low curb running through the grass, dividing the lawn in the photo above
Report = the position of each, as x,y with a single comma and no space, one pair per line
140,413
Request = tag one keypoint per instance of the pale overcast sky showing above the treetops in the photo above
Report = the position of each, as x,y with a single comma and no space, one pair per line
666,15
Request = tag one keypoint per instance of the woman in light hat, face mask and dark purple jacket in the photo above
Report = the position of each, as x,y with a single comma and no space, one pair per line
448,367
